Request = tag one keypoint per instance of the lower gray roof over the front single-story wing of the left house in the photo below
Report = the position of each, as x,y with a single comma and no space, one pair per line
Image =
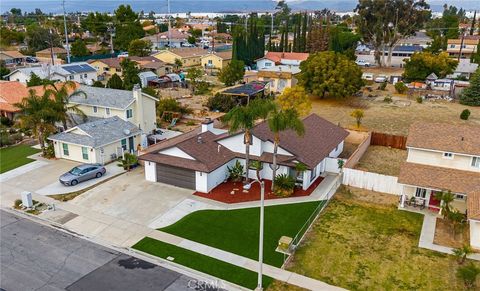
98,133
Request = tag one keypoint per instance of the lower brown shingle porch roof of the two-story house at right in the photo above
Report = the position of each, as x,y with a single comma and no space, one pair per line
439,178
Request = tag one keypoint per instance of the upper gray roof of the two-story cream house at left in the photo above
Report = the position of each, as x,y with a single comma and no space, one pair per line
103,97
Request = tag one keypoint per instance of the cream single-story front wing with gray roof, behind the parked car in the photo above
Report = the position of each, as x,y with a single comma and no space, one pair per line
99,141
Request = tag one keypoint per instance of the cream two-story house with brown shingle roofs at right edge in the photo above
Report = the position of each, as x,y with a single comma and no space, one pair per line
444,157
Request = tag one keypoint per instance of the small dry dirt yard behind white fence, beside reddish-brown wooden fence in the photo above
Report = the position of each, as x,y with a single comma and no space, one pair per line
382,160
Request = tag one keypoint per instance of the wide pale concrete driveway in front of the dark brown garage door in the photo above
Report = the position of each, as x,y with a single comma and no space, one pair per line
130,197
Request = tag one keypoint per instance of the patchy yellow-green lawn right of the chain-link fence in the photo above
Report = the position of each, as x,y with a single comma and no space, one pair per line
359,245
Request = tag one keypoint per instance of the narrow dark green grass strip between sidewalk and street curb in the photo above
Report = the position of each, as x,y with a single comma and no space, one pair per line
202,263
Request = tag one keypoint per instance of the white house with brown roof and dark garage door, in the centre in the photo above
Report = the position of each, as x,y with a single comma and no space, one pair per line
199,159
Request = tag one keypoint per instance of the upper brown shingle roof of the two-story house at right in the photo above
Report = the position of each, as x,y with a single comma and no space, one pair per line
462,139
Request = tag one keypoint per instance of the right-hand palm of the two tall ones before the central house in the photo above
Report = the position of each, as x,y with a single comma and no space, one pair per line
278,121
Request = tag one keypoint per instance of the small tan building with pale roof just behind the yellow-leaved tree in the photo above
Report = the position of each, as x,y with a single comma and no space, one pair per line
280,77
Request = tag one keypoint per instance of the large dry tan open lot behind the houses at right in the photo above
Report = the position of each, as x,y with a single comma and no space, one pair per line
393,118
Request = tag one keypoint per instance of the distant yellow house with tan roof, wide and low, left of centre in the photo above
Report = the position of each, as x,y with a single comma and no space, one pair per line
189,56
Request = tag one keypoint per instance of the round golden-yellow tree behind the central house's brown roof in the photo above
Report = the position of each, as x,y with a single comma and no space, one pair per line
295,98
